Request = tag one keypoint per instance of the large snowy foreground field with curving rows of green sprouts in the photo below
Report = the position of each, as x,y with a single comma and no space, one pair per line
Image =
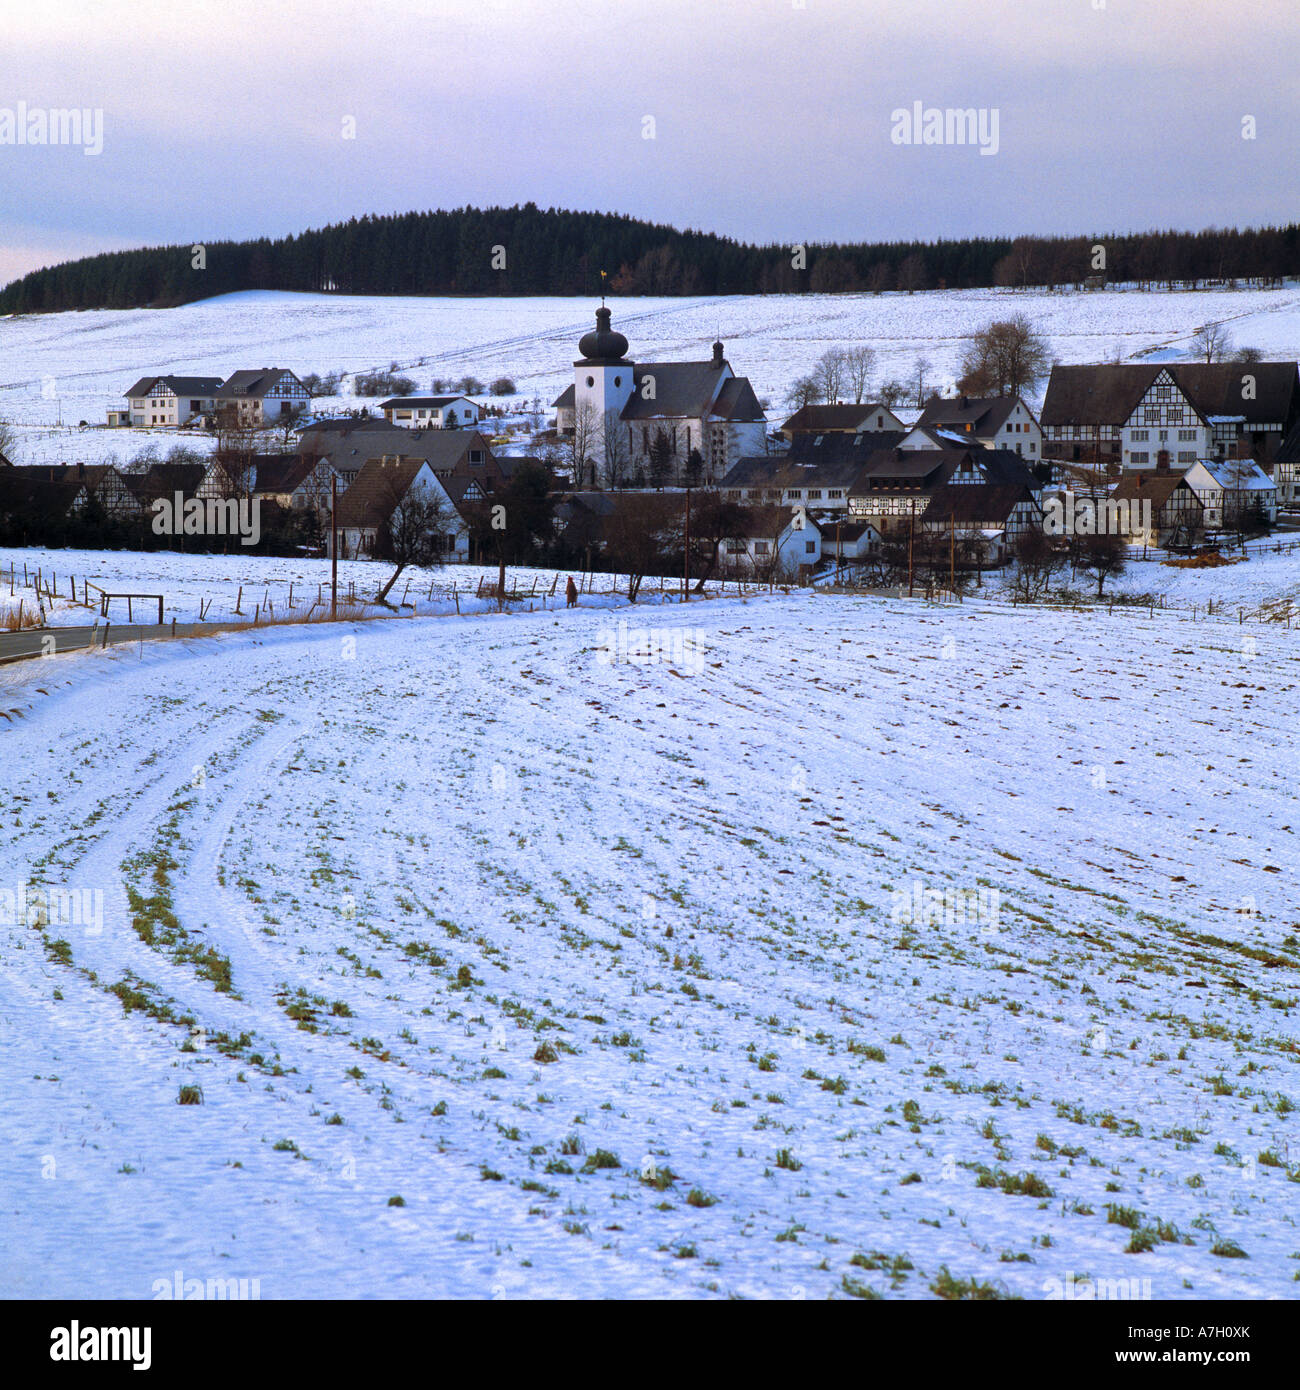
508,972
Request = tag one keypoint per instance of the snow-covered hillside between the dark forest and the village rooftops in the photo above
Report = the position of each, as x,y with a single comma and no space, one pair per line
60,369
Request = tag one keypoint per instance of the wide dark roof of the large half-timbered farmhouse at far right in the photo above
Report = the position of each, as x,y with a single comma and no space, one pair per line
1105,395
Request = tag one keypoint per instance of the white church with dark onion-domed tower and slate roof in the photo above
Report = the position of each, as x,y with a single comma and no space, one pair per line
617,409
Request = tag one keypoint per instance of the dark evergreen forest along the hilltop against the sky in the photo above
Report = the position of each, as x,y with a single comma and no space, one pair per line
529,251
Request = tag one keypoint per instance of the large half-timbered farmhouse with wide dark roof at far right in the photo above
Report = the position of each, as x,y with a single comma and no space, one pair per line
1155,415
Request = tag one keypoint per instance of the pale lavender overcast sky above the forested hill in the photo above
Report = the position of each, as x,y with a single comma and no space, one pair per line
772,119
